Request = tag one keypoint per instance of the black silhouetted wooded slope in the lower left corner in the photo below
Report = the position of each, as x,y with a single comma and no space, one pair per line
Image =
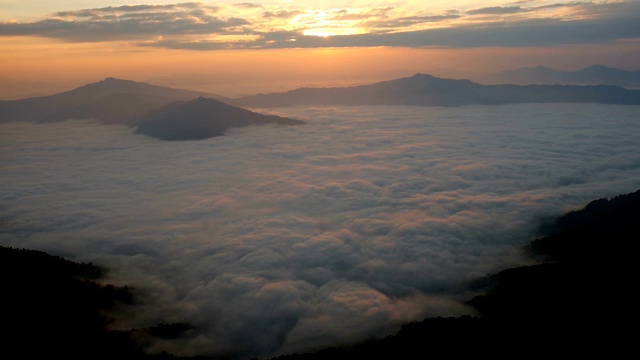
52,307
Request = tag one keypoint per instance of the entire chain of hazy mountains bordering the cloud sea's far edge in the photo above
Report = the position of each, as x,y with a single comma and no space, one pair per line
177,114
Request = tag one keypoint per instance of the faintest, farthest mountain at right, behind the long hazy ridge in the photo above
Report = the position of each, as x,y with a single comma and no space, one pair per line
592,75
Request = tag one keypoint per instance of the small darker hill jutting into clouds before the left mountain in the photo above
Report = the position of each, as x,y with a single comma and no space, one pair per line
202,118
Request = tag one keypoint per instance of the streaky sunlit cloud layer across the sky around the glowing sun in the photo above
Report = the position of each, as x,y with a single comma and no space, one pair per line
199,27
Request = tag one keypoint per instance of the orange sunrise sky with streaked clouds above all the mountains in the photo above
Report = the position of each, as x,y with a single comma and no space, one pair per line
235,48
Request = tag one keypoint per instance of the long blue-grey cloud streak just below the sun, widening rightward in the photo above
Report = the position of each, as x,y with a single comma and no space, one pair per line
534,32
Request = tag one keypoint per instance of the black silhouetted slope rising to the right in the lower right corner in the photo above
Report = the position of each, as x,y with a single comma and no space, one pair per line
578,304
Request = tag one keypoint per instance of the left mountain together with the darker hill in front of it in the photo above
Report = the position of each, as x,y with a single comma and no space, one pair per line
165,113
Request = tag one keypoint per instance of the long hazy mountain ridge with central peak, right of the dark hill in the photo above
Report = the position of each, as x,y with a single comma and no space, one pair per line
427,90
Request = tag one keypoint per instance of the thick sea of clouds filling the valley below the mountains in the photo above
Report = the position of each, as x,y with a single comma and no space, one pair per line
275,240
